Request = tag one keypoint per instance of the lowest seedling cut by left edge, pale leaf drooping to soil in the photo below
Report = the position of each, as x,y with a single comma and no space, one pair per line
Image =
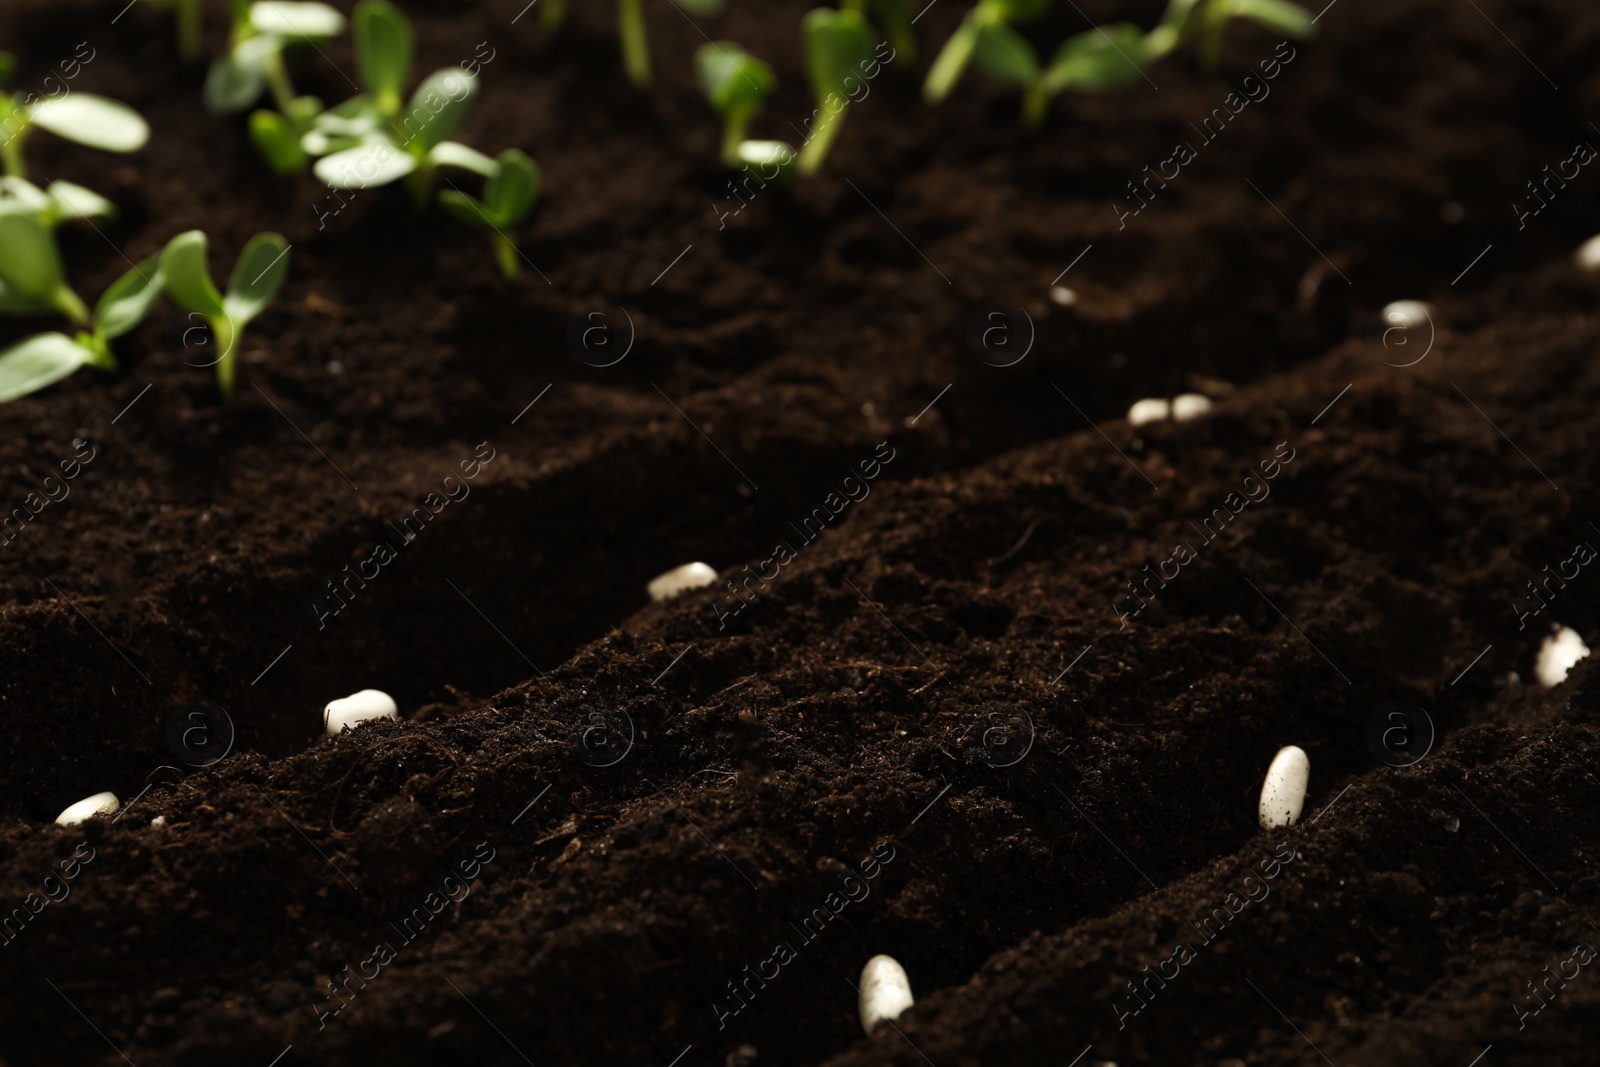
34,284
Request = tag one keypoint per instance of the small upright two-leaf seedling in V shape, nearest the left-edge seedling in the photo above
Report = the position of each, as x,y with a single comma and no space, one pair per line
258,274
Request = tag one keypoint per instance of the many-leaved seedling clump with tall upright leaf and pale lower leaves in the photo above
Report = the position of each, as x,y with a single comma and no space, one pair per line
370,140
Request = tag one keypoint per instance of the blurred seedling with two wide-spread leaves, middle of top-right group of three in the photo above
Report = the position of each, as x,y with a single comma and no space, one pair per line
1097,62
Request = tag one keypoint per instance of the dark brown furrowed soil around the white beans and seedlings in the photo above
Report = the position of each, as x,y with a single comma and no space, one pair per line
946,729
